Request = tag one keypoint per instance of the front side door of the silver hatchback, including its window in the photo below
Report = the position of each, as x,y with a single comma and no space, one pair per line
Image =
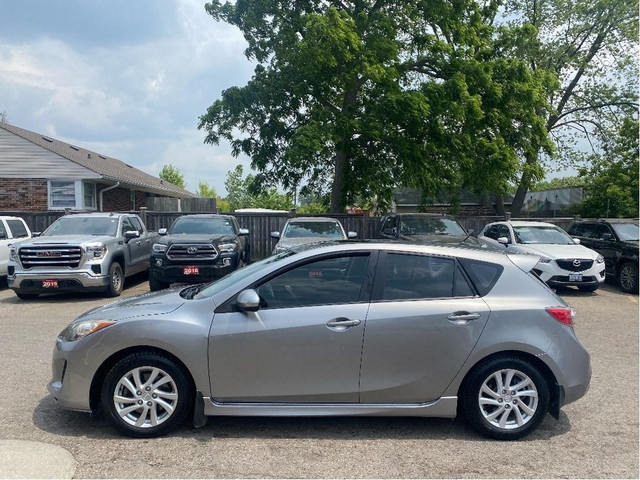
304,343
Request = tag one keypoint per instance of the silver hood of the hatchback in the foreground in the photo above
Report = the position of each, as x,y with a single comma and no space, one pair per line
148,304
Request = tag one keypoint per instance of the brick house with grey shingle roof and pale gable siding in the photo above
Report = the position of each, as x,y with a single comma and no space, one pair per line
38,173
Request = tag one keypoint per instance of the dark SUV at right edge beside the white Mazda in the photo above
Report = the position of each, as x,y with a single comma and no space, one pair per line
617,241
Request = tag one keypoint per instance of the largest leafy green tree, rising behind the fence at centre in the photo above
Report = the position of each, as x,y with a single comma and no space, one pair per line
356,98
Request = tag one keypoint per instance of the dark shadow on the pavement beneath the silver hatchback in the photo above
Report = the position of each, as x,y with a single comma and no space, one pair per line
52,419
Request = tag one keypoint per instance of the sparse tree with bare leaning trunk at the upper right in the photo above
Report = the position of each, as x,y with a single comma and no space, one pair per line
592,47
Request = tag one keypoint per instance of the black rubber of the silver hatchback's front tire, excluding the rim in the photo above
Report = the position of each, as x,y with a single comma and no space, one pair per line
146,359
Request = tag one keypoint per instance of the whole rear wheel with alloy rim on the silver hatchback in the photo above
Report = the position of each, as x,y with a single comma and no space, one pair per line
501,413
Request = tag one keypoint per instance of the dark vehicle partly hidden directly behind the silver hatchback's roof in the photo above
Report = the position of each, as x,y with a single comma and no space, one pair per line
424,228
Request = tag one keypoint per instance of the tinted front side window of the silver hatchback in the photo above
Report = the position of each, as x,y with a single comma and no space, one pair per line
324,282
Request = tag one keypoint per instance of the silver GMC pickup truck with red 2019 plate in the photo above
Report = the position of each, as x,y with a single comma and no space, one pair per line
93,251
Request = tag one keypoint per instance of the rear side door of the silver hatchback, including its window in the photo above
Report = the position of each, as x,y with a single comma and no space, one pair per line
423,323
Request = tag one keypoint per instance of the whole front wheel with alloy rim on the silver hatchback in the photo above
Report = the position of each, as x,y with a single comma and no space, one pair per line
134,400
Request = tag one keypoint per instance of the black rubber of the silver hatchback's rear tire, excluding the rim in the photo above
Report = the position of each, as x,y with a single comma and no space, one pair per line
472,387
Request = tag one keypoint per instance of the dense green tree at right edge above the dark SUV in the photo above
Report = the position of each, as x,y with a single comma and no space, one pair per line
612,179
